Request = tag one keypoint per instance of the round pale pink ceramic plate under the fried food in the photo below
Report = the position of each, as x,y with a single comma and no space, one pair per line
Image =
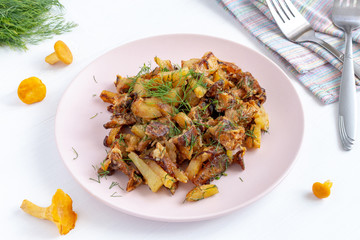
81,115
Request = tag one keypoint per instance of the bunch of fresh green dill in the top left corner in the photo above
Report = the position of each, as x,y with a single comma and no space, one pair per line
25,22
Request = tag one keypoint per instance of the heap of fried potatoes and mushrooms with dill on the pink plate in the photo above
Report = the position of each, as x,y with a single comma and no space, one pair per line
176,124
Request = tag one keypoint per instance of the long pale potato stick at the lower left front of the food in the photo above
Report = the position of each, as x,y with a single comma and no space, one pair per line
152,179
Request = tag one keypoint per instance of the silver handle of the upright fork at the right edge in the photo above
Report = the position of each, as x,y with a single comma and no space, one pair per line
347,97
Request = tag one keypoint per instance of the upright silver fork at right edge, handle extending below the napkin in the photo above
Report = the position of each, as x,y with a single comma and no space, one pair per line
346,15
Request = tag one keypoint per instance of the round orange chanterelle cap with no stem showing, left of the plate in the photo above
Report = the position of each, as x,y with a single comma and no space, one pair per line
31,90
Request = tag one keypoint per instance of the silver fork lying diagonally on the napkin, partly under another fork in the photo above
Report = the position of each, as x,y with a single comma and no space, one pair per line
297,29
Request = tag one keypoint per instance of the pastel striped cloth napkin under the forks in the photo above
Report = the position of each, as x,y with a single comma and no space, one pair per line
316,69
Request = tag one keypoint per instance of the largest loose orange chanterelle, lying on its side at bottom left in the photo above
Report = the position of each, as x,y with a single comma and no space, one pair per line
59,212
